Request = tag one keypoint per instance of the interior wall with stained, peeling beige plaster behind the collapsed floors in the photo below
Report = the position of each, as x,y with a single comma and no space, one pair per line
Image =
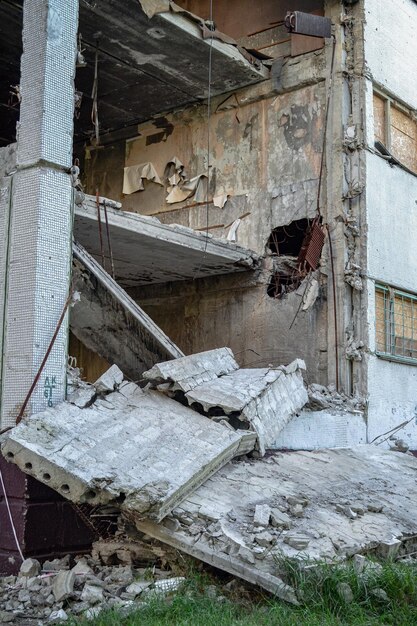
265,147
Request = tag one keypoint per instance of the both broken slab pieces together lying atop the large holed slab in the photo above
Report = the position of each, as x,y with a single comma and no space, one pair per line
263,400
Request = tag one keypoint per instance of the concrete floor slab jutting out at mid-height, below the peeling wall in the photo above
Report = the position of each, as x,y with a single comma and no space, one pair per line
146,251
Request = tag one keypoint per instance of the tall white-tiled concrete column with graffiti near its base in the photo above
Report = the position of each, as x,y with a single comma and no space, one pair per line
39,247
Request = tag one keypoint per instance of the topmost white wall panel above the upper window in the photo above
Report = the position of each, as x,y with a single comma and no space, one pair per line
391,46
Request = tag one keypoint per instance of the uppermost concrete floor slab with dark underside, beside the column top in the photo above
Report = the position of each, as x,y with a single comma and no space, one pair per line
153,65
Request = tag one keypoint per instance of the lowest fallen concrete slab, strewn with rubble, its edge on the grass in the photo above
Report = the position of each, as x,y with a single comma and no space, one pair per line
324,505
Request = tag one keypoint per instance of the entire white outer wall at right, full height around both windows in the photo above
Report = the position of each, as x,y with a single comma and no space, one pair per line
391,211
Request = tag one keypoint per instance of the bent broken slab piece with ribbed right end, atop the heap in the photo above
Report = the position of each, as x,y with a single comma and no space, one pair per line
266,399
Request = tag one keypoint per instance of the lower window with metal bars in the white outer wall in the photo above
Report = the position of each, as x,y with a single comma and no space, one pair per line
396,324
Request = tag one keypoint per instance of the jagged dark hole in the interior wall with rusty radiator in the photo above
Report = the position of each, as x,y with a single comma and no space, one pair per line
298,248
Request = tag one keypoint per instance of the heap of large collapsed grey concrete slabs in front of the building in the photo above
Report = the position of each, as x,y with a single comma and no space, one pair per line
183,461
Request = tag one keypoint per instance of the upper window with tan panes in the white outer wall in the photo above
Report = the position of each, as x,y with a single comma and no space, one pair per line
396,128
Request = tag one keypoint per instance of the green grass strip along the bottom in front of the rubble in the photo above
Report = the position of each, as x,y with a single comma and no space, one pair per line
321,604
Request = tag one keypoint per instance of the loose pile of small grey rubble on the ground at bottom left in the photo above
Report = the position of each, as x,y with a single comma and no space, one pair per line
54,591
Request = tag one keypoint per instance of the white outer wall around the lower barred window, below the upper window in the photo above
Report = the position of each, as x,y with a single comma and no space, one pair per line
392,258
